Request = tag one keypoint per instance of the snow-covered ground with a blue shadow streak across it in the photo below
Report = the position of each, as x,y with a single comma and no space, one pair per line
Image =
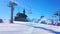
28,28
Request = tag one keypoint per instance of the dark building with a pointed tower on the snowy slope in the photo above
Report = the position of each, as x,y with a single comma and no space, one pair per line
21,16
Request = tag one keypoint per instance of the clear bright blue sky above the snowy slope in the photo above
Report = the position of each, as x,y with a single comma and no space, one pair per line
38,8
